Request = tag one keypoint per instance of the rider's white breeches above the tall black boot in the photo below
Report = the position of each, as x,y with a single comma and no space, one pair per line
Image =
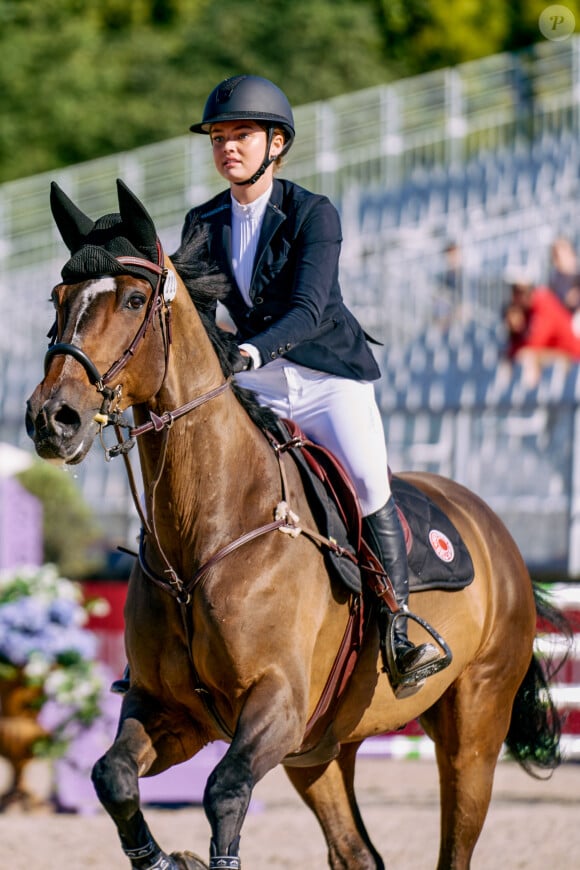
339,413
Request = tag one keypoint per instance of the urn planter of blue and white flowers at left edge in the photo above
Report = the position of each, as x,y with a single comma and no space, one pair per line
50,681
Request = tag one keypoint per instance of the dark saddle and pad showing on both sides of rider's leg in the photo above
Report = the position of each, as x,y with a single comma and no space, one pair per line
437,555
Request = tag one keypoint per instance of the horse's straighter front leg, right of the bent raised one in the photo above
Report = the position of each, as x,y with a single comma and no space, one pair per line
267,730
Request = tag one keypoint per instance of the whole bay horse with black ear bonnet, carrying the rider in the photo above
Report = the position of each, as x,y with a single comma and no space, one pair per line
232,627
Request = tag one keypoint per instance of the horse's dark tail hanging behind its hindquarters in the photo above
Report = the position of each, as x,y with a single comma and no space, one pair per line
533,739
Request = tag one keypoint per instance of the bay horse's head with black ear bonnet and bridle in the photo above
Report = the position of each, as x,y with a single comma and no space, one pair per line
110,341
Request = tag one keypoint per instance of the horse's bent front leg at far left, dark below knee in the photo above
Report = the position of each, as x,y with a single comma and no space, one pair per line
116,780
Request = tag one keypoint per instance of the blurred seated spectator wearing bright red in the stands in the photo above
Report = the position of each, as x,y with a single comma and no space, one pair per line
539,326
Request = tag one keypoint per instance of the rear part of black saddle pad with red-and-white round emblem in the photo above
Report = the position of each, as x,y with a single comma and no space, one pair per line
438,558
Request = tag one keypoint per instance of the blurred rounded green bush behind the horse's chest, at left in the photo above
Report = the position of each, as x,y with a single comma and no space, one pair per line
70,530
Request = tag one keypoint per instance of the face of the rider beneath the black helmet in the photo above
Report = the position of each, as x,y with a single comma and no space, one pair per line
239,148
